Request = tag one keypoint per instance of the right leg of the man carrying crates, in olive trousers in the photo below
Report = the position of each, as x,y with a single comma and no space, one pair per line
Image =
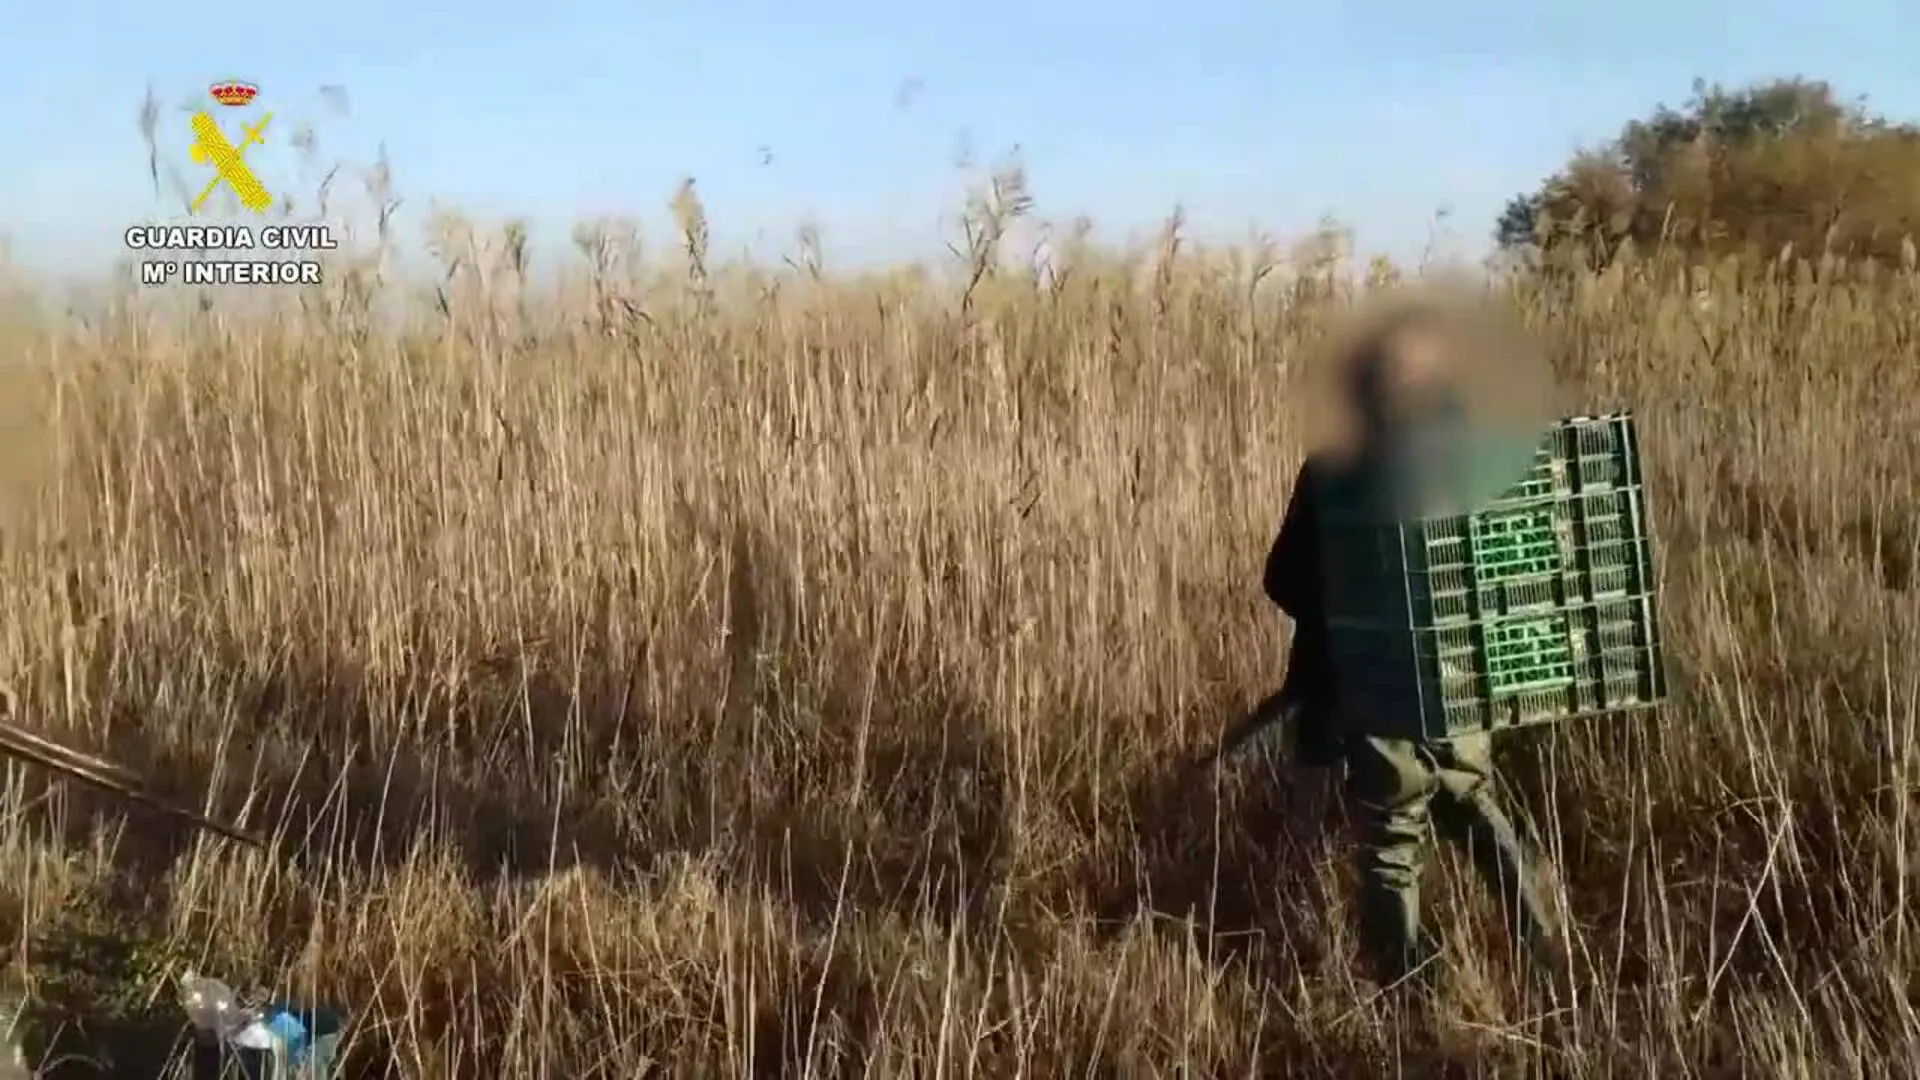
1468,810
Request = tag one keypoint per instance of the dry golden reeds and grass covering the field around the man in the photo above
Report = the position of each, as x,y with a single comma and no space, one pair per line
780,677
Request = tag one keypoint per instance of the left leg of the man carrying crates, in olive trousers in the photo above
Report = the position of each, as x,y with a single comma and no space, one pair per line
1391,789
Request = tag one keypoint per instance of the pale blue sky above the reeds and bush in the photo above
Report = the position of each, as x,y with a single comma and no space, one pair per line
1245,112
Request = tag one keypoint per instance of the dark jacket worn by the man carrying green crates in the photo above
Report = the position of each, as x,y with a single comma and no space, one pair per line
1293,583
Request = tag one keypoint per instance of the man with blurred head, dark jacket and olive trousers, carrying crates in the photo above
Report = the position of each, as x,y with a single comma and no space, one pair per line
1397,787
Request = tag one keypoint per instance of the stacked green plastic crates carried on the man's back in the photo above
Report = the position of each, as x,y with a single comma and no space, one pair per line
1533,610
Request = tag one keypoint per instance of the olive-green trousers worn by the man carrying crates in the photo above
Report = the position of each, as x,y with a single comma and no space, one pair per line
1401,791
